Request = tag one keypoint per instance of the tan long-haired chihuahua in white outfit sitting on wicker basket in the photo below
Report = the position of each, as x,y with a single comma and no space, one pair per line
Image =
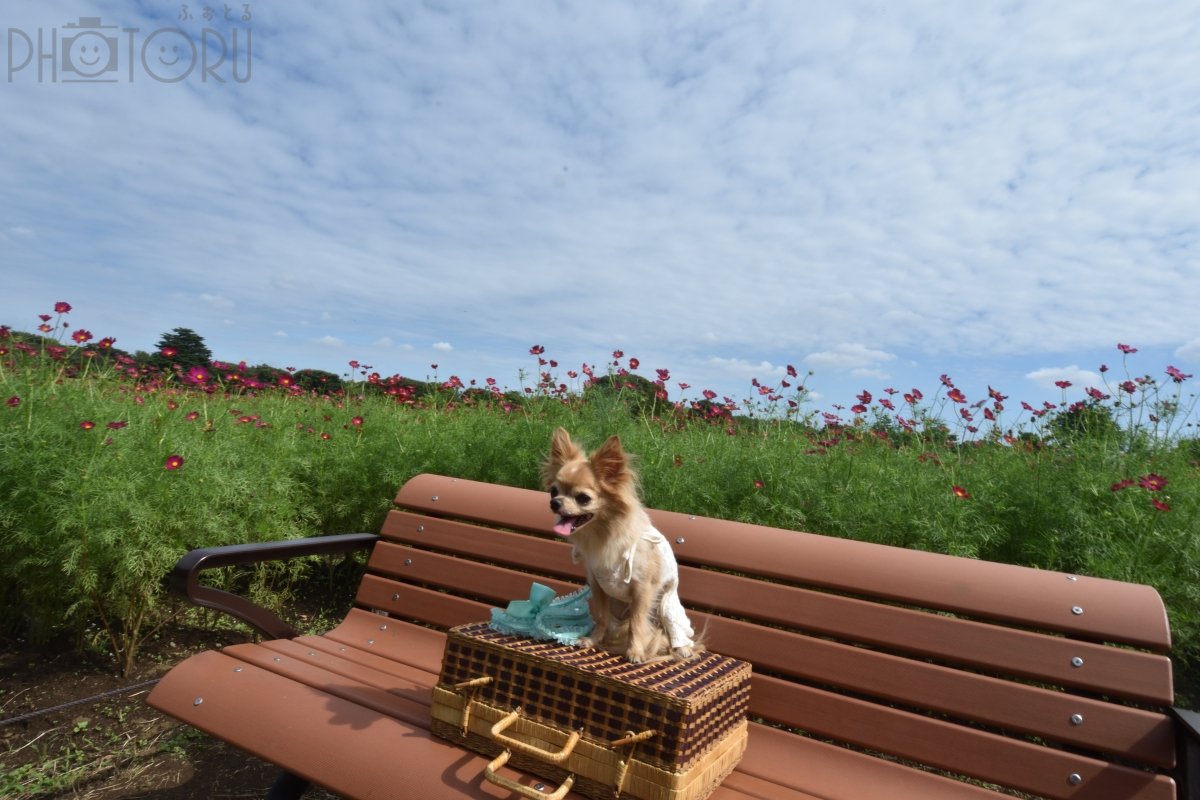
632,570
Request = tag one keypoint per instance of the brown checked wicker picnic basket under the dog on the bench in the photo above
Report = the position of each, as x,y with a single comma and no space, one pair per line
591,720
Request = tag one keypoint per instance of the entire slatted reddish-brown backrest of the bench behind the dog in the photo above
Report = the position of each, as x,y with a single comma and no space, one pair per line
873,647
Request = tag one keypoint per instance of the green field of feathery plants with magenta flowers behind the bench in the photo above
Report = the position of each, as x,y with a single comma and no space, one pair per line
94,515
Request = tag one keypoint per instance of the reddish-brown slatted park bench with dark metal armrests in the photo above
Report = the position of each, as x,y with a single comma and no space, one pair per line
879,672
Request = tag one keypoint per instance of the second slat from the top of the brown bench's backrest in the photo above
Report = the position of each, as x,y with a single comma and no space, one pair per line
1130,675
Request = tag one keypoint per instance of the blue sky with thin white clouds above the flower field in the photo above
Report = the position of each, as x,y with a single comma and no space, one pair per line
877,193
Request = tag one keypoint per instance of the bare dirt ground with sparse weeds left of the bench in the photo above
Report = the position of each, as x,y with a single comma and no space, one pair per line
116,748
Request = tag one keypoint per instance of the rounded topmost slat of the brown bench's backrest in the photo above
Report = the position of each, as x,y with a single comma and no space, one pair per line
1112,611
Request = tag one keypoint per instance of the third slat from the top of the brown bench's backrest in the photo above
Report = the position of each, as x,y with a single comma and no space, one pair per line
1108,727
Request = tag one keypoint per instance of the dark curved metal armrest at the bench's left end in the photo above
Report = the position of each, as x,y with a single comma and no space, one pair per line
184,580
